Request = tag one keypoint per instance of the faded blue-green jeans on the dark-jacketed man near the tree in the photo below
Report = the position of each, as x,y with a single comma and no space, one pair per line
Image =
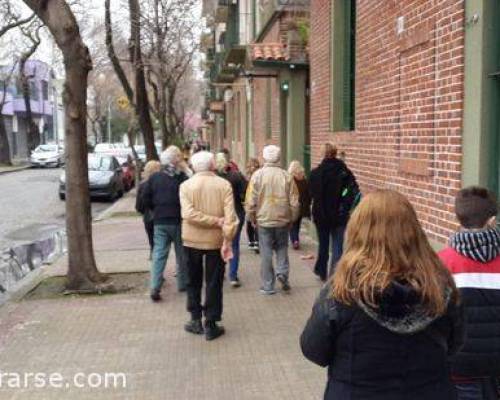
164,236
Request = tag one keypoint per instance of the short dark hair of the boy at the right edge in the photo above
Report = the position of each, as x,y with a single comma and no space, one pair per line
474,206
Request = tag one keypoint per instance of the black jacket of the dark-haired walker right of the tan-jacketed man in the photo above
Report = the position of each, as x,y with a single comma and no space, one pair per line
325,185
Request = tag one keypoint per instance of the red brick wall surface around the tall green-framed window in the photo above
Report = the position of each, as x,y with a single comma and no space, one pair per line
409,100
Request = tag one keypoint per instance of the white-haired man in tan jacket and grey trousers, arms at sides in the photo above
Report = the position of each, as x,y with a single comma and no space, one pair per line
273,205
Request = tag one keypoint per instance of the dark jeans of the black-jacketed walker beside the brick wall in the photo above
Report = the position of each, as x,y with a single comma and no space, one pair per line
329,237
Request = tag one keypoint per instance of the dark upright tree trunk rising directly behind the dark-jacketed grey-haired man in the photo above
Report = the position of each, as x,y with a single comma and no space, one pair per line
141,96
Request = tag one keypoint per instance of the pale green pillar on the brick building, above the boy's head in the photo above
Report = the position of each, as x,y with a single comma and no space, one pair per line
481,128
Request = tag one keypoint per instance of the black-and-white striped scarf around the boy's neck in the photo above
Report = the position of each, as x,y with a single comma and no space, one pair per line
482,246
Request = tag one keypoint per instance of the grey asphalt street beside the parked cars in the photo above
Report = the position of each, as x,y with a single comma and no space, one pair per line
30,206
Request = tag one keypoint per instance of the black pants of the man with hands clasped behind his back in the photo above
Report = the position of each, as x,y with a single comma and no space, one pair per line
214,278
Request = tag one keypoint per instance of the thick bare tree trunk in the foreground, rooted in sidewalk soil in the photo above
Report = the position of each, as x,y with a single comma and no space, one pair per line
59,19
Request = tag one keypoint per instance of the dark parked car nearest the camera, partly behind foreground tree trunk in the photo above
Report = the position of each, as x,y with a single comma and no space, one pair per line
105,178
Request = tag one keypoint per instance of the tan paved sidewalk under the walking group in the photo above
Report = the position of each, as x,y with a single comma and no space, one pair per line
258,359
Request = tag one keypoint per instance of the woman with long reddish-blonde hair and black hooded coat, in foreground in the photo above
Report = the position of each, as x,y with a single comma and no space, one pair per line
389,317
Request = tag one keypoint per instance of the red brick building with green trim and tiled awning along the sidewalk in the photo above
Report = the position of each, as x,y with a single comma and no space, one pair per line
408,89
